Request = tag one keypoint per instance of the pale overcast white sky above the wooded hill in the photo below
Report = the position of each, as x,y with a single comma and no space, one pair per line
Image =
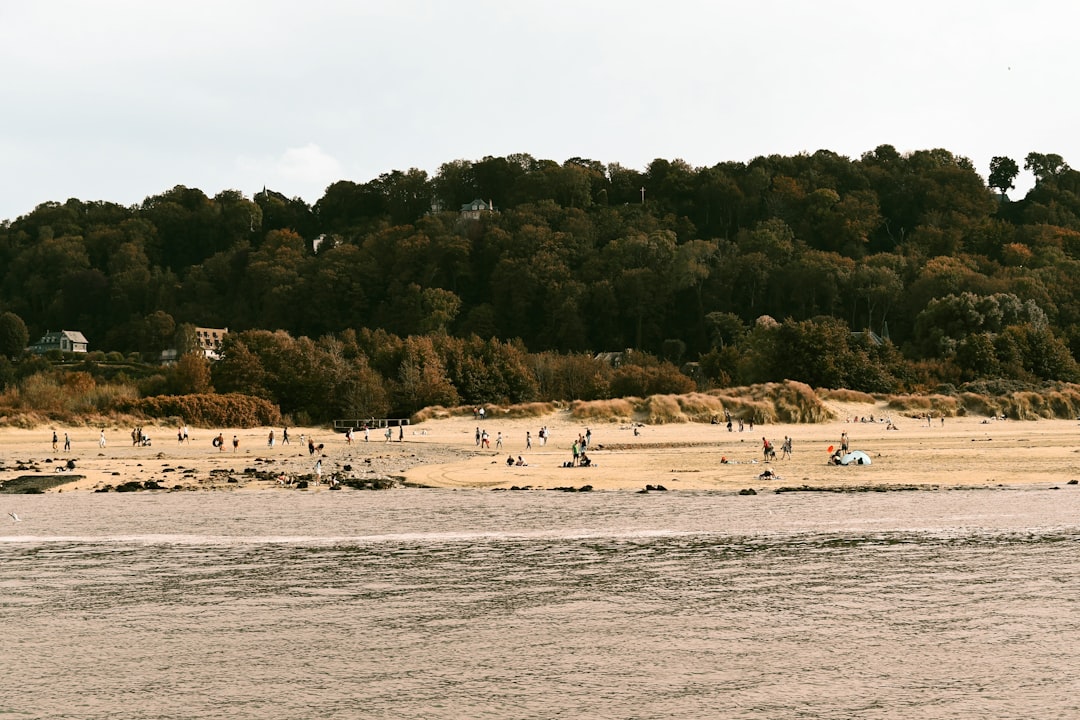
117,100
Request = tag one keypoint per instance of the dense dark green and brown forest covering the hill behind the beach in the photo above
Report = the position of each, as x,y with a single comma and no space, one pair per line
502,280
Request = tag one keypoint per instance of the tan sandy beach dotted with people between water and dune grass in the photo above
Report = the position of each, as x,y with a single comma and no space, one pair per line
964,452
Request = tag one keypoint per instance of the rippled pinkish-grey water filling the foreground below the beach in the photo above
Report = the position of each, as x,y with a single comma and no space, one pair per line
430,604
